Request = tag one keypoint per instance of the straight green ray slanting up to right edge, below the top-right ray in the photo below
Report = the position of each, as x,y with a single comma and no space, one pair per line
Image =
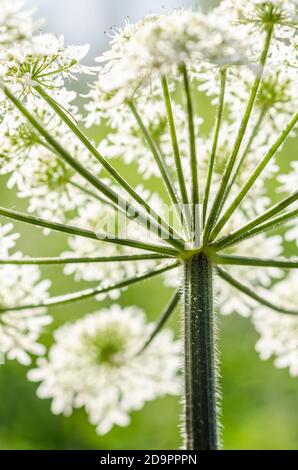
255,175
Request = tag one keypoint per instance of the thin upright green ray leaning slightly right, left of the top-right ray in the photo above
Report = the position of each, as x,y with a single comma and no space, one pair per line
223,80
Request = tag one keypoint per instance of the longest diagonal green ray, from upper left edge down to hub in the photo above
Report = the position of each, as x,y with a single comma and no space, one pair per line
167,234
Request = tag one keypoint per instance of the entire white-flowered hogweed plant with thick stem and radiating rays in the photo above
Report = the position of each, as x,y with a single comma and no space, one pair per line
215,233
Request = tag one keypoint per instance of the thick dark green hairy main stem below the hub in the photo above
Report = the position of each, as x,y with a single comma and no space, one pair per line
200,356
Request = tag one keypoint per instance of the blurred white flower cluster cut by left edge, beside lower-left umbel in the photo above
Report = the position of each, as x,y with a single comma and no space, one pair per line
20,330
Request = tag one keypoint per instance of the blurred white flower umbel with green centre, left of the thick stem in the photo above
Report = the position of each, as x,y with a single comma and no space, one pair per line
95,364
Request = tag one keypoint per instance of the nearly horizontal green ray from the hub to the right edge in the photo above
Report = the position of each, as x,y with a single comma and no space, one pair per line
261,262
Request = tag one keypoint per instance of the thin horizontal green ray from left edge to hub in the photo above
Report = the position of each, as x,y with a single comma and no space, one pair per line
81,260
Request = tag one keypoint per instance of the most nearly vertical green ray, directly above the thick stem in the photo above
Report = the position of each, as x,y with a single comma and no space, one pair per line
195,197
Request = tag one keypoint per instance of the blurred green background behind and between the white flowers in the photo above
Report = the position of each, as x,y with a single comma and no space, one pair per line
259,402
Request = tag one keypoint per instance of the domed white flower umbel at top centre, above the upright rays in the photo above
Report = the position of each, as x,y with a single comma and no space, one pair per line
159,45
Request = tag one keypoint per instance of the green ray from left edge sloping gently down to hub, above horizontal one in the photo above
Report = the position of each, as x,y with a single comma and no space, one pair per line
29,219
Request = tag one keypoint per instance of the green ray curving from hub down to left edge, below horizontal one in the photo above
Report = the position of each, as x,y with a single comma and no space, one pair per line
89,293
